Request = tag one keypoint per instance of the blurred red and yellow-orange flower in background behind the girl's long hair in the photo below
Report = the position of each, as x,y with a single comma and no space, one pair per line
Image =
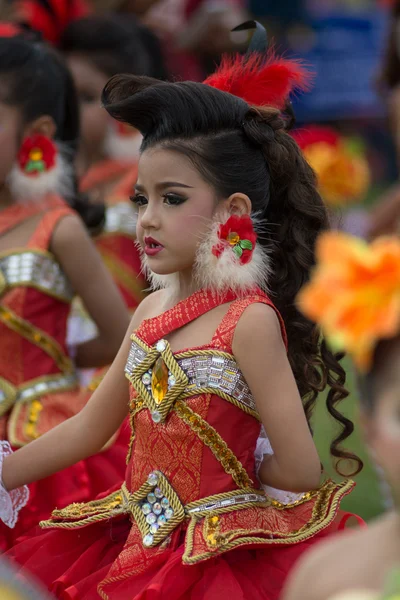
343,174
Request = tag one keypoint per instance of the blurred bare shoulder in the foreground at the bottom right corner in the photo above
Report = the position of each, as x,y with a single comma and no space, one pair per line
347,553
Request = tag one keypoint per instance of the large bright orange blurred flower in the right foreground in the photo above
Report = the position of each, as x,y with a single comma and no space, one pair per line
354,293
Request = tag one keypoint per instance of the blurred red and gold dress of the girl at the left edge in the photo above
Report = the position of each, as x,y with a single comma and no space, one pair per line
38,384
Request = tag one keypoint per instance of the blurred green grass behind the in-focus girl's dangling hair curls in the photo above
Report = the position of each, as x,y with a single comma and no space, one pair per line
366,500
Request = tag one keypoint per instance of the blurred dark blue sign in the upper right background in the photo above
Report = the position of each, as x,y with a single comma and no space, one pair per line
345,58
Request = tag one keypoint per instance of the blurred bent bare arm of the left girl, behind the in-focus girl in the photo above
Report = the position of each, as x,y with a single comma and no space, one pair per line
83,266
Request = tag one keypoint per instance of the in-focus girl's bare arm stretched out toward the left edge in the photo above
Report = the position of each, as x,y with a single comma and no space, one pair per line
84,434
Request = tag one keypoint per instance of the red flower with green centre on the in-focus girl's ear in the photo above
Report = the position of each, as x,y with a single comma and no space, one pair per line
239,235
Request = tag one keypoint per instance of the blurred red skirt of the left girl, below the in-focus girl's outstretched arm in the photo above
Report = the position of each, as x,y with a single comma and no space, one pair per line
79,483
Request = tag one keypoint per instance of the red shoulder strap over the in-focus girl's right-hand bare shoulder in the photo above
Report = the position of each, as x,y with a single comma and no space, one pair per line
223,337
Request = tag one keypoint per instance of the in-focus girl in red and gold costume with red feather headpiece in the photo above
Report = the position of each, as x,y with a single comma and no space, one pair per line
222,490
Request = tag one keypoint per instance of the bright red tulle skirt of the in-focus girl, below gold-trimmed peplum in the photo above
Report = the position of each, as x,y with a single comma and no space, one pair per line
72,563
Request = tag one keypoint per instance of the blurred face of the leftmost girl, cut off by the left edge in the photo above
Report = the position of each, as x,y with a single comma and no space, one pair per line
10,125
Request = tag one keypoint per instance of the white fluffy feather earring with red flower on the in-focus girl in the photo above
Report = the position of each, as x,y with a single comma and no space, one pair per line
229,258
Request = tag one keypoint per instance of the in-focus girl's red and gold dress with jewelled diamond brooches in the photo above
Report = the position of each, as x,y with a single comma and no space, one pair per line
191,520
